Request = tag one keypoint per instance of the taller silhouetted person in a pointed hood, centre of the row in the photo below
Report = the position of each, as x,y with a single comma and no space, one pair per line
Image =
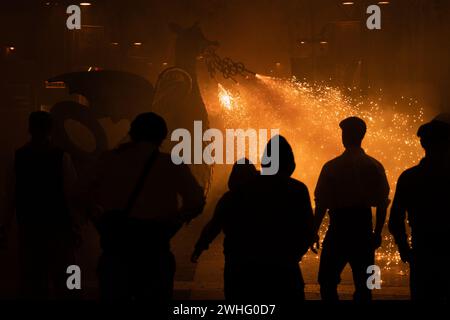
268,232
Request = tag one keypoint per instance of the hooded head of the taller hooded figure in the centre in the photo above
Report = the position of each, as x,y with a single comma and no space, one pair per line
278,157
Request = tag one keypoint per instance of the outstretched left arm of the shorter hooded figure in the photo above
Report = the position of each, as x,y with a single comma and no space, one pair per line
211,229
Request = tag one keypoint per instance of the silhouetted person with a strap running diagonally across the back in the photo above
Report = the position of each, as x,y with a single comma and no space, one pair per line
145,268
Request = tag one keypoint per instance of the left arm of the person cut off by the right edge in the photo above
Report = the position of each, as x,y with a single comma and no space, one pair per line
397,221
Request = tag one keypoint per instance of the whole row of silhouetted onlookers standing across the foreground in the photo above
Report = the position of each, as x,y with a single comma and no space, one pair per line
138,199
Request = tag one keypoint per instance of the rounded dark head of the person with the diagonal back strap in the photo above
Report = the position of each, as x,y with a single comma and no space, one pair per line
148,127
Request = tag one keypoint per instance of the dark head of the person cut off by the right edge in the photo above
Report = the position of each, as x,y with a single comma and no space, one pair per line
434,137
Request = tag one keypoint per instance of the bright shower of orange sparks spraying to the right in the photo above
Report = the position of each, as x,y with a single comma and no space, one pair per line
309,115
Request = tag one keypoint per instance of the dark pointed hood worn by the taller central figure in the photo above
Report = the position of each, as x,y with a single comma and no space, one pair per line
285,154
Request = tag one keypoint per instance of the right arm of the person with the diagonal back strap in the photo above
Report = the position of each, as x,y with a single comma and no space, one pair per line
191,193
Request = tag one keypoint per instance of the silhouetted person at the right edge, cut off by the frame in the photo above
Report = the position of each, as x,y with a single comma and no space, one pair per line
422,197
